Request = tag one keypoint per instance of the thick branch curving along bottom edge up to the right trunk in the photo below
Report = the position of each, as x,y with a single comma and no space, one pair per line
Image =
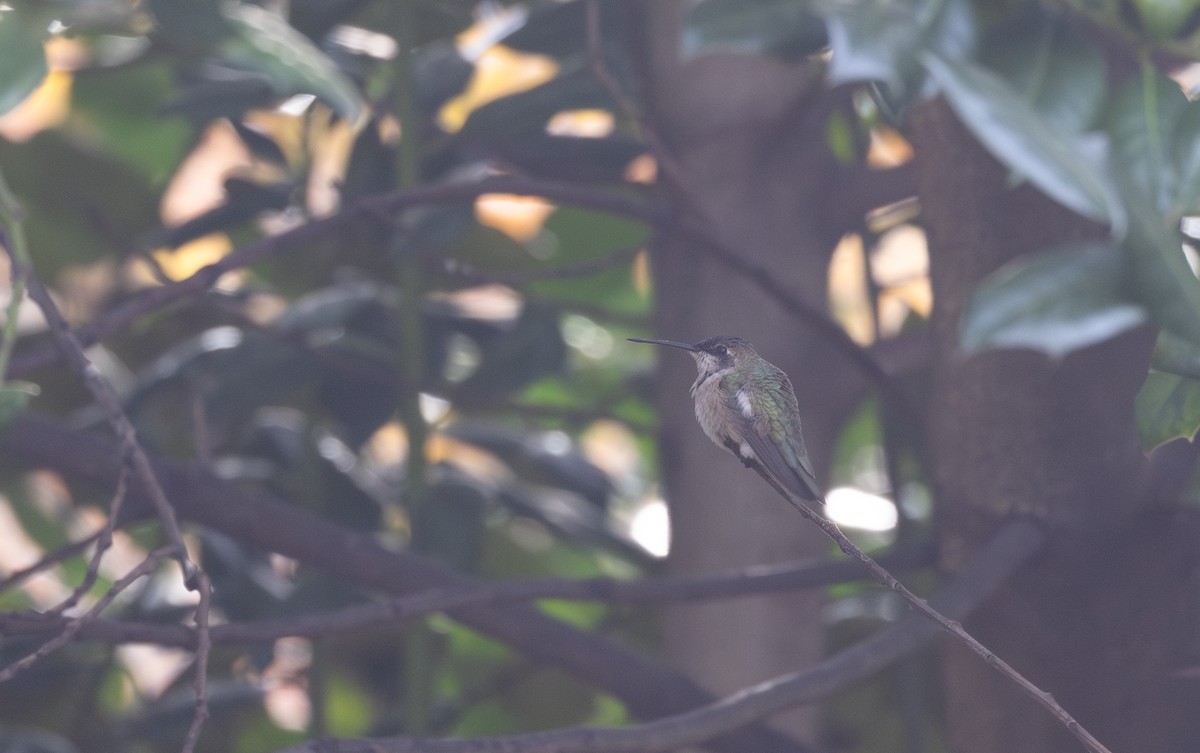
1015,545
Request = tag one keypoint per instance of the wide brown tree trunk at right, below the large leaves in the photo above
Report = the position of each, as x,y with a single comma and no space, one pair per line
1106,622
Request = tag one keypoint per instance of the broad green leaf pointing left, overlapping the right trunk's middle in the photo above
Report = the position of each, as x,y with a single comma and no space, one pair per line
1057,303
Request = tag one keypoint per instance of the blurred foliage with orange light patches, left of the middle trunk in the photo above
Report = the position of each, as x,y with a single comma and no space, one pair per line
193,122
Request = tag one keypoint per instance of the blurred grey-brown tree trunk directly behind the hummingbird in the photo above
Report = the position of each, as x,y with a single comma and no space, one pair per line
748,156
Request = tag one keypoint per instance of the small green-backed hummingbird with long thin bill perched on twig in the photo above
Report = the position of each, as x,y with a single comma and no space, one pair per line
746,405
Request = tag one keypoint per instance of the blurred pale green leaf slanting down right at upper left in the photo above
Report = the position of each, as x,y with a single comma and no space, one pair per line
263,43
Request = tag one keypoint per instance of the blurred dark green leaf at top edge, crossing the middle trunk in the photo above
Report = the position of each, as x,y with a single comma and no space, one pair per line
754,27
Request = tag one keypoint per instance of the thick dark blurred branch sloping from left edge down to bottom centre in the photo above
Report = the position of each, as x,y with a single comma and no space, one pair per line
261,521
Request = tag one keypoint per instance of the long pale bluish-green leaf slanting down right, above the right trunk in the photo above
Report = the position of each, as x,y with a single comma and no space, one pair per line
1015,134
